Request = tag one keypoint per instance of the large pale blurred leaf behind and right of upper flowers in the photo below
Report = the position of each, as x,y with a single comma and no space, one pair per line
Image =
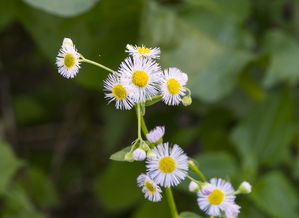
195,51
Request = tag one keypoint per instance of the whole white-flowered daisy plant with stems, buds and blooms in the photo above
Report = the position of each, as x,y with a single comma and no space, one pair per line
140,82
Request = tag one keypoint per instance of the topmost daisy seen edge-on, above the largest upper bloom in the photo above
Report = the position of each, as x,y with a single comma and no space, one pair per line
137,51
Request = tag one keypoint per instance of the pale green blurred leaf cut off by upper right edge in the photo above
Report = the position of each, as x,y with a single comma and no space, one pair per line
284,51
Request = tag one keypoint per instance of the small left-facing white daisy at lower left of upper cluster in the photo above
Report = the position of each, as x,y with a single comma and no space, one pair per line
118,91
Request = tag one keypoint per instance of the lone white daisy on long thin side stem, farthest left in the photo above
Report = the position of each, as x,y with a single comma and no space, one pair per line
67,59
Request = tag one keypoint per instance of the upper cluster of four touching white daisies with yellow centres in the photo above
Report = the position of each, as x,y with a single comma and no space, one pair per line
139,78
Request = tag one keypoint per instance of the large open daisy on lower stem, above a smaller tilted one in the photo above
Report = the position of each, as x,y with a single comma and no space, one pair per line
170,166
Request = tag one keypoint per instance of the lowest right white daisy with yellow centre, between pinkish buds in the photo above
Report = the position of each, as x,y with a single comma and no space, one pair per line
215,197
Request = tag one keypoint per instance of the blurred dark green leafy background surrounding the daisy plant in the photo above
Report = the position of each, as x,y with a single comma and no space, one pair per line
56,135
